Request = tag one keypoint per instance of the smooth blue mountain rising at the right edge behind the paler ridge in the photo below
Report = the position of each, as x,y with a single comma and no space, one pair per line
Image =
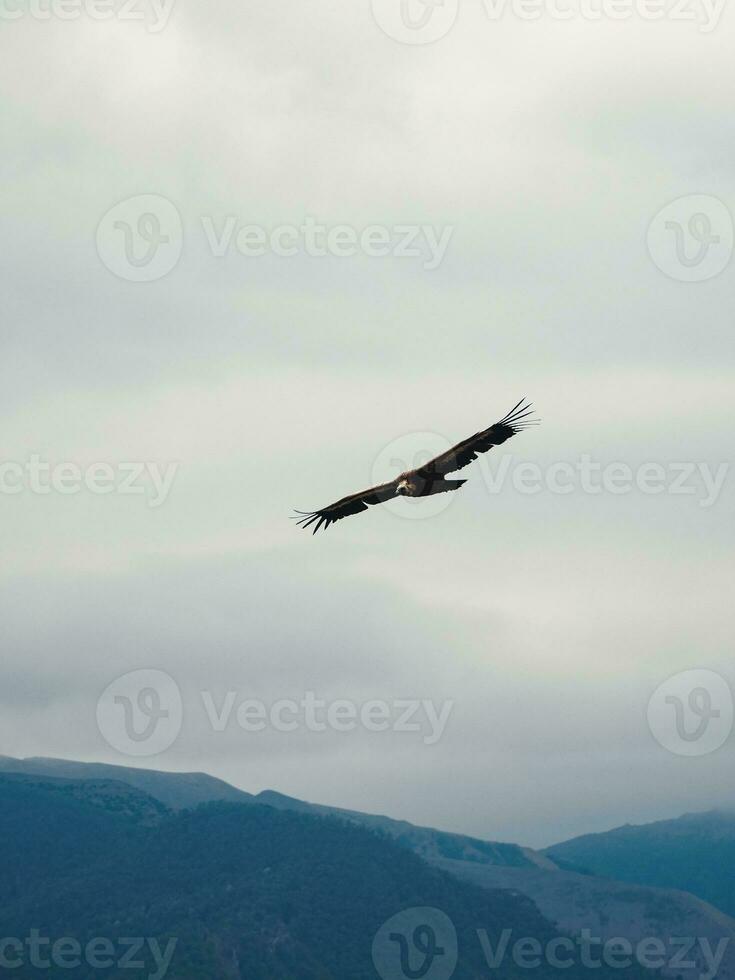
695,853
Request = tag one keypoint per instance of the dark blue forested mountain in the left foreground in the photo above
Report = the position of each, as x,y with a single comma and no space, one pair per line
229,891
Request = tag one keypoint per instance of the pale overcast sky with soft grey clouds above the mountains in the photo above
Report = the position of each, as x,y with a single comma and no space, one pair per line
529,162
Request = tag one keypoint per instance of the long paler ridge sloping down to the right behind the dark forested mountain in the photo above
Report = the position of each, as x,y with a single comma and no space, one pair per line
572,900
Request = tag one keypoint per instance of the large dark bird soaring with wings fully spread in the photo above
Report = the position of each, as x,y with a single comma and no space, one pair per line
429,478
